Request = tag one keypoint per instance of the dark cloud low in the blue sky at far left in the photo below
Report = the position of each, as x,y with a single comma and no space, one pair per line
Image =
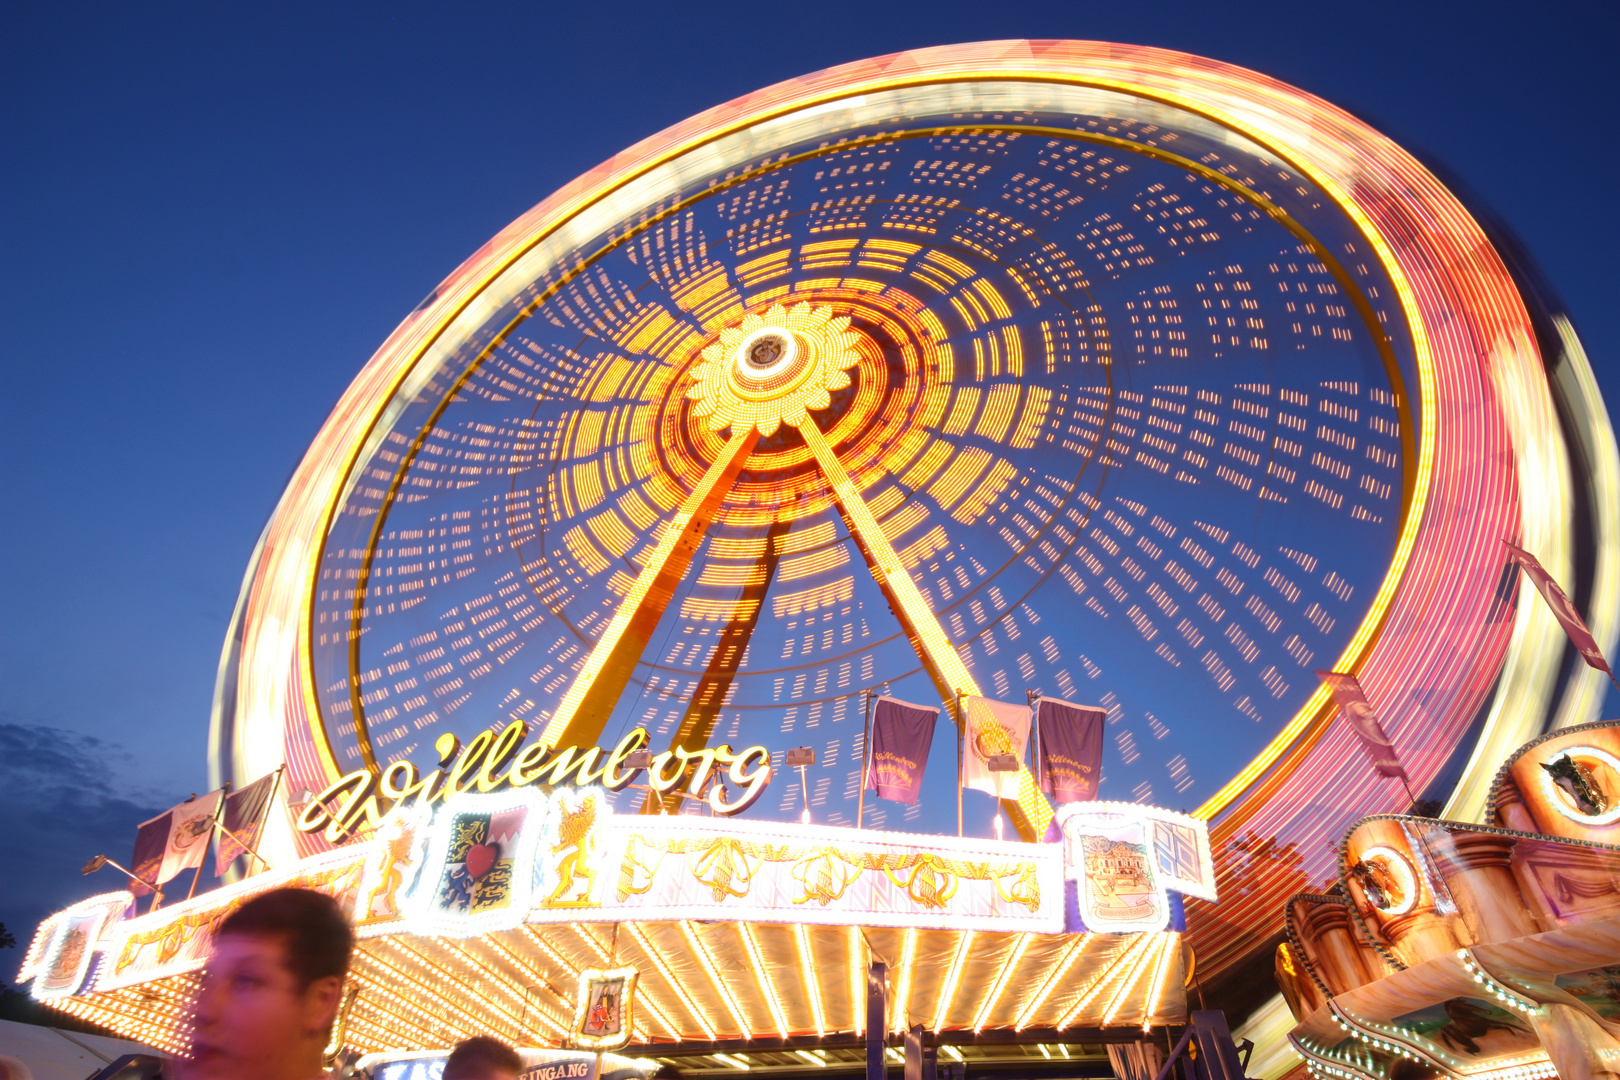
64,797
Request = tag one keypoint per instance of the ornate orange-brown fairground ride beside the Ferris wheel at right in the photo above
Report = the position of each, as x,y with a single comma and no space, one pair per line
1452,950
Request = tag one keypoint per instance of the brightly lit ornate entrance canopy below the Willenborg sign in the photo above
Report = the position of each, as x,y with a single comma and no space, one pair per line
738,930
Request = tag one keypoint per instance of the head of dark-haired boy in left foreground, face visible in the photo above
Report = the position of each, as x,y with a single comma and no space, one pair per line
271,990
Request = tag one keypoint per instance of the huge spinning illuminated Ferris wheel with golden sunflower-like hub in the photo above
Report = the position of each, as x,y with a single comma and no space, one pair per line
1106,373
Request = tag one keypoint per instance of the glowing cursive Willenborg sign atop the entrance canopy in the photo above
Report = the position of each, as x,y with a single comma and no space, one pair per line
498,760
